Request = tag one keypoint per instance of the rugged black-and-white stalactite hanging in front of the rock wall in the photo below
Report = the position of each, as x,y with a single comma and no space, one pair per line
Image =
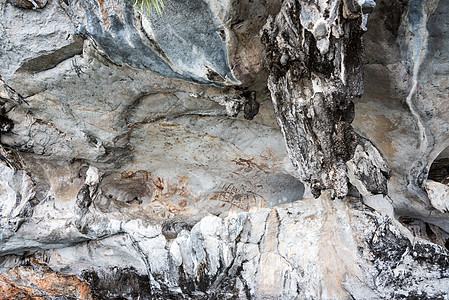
314,57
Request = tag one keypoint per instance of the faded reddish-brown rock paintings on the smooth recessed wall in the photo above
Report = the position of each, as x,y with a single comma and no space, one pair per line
172,197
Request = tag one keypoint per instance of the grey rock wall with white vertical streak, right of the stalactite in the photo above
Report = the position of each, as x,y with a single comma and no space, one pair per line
403,110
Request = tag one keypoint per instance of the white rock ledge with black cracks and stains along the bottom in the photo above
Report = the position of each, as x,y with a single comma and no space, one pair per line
345,250
